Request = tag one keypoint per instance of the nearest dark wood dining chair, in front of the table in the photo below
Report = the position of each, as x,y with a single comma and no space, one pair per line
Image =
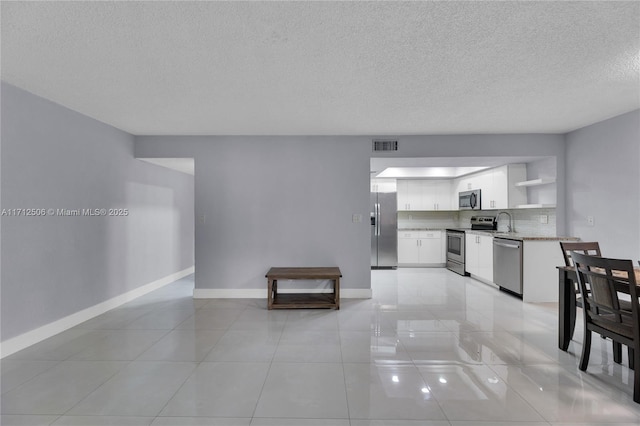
601,280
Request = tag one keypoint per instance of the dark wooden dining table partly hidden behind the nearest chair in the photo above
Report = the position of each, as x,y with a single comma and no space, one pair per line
567,279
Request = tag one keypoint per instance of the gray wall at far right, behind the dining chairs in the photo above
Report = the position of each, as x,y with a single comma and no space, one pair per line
603,181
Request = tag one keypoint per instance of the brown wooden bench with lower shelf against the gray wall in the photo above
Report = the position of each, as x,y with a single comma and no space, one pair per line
303,300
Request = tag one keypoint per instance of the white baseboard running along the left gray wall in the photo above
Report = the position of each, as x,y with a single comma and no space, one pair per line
32,337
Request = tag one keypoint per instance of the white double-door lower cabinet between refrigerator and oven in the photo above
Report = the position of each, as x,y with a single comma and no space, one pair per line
420,248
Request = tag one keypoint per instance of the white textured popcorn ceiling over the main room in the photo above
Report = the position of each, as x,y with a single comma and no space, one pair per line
314,68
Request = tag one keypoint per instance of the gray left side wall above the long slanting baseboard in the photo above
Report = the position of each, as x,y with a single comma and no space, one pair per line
55,266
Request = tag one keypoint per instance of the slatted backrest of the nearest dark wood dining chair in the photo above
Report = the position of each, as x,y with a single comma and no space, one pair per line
601,280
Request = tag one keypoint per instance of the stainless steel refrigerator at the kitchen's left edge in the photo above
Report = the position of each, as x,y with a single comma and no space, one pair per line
384,230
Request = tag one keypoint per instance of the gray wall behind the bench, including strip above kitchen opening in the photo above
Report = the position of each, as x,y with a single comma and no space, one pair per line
289,201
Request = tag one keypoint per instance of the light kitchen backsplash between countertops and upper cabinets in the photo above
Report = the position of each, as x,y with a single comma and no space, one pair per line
525,221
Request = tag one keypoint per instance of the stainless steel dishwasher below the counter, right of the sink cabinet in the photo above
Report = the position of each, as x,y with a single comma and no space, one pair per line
507,265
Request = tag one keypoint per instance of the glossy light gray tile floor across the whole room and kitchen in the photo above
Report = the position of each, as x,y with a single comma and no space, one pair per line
430,348
